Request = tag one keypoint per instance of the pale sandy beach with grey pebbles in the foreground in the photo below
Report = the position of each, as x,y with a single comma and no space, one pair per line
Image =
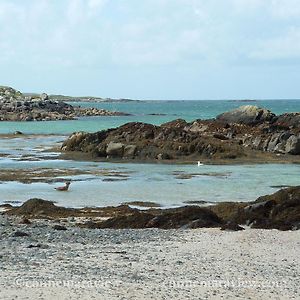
146,264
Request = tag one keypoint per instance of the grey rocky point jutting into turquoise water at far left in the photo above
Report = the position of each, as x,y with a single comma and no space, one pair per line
14,106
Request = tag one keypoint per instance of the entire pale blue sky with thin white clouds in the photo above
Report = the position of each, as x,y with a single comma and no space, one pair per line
152,49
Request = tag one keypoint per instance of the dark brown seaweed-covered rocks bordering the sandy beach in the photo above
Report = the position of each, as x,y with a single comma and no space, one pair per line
280,210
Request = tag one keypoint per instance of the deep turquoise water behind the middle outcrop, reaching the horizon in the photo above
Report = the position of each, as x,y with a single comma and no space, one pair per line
188,110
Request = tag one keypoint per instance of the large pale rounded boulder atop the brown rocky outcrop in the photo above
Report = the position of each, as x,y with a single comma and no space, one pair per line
247,114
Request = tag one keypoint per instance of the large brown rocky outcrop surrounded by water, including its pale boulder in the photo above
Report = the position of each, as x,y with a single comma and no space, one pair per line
247,133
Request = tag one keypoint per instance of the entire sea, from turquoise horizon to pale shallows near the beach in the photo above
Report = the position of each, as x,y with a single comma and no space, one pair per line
98,184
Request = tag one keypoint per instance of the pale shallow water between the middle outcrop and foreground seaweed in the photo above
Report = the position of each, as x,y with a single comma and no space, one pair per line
152,182
